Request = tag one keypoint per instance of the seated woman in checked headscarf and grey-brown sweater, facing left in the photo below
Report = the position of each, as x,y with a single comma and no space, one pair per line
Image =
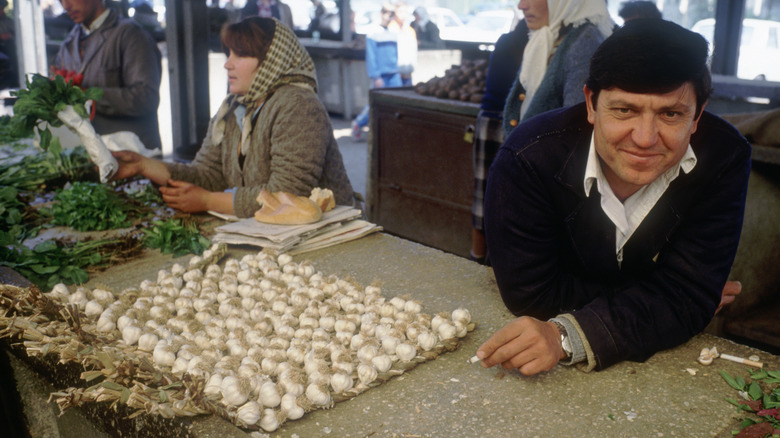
271,131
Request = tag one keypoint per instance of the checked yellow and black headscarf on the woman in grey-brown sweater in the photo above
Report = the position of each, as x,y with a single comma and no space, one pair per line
286,63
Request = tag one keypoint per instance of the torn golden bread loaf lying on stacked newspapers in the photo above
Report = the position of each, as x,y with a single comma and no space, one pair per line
286,209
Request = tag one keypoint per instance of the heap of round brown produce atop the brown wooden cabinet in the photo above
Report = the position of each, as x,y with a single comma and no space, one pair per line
465,82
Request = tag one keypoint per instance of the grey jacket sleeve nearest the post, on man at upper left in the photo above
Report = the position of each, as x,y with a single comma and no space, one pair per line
138,93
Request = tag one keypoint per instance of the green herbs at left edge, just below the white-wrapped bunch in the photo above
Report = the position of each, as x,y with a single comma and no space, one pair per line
37,172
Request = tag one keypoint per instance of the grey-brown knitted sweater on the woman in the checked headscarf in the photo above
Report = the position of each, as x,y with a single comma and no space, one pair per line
292,149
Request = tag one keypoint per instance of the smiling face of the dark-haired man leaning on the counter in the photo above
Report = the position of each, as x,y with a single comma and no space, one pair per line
640,136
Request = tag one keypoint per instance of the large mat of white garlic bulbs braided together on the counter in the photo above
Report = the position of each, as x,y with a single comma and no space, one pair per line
271,338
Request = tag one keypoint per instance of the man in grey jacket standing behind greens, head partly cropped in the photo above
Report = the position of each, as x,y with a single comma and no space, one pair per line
116,55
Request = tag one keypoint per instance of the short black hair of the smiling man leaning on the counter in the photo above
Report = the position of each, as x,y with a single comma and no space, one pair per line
651,56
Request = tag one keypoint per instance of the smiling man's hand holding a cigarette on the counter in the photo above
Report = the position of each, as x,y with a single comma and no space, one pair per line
528,344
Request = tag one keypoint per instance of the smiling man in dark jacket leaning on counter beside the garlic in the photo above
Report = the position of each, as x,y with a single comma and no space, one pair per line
612,225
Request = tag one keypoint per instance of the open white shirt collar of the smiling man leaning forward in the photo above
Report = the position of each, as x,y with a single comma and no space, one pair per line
629,214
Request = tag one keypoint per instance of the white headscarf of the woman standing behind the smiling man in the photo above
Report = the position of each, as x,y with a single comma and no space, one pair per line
540,45
